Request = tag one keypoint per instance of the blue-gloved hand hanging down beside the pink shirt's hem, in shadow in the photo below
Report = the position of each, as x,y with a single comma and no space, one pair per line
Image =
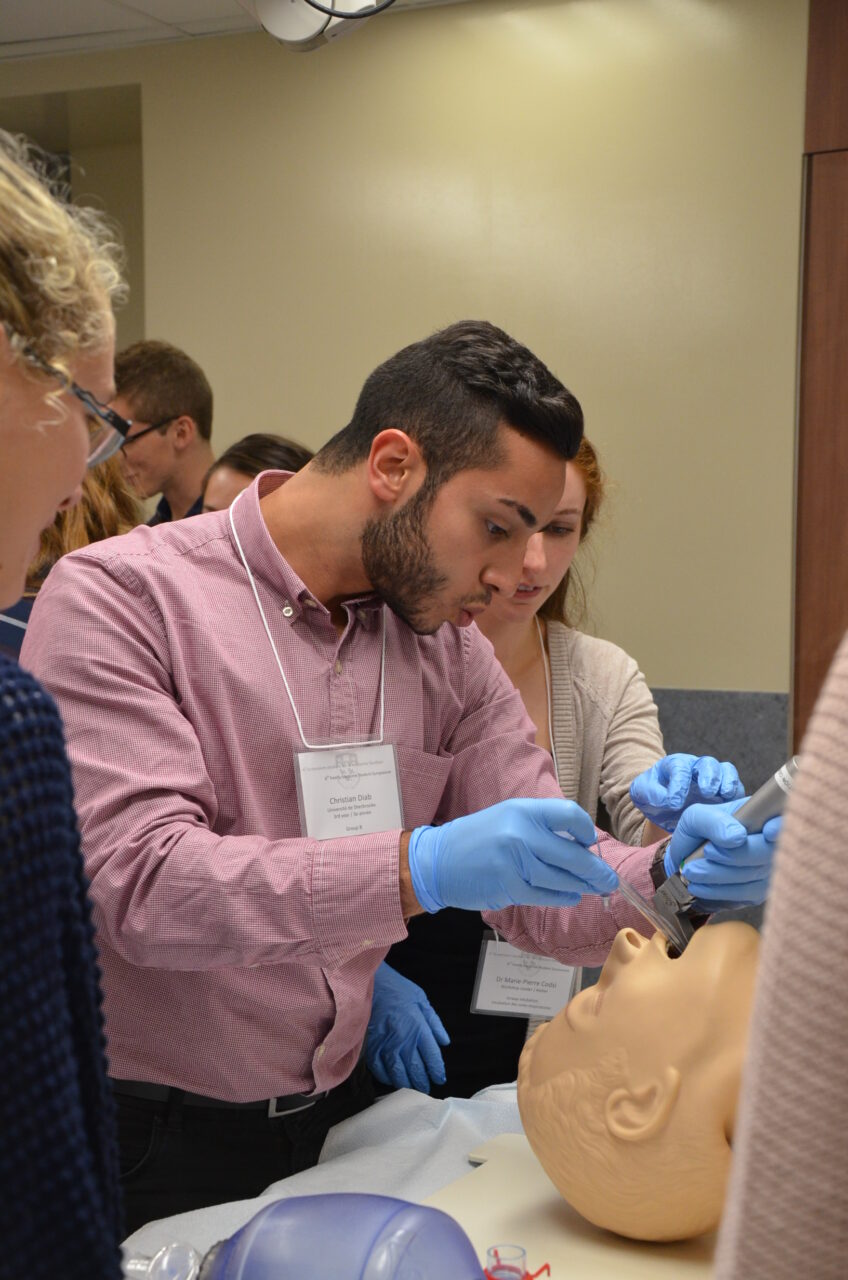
404,1035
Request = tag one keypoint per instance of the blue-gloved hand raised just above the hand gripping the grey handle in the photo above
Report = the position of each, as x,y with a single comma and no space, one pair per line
664,792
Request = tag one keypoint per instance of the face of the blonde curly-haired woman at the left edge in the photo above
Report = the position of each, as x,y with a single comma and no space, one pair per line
45,447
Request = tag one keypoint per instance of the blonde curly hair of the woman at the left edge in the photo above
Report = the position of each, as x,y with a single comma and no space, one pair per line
61,264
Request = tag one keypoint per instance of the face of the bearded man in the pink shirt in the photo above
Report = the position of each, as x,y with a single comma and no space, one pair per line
448,557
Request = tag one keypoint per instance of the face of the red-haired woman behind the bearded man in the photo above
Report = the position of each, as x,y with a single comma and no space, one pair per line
548,557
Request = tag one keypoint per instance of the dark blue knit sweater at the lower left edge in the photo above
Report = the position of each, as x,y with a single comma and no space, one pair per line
60,1197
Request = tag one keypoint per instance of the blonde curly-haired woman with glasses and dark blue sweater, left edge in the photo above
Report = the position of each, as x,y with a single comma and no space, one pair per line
60,1192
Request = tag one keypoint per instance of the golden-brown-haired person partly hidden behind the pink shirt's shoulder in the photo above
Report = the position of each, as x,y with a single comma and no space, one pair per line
108,508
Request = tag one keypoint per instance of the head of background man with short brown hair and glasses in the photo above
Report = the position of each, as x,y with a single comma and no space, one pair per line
168,399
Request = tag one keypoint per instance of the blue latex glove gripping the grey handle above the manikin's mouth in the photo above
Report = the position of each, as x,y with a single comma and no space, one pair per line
736,867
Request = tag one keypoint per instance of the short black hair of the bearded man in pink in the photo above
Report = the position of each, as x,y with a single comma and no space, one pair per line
450,392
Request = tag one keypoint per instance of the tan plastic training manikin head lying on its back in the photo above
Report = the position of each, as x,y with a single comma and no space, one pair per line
628,1096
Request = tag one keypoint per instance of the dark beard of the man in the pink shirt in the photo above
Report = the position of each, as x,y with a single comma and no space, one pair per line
399,561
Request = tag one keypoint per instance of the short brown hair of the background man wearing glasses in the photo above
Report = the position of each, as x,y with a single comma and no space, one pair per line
162,382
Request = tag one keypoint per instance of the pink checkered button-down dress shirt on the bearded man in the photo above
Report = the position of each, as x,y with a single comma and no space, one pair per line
238,956
